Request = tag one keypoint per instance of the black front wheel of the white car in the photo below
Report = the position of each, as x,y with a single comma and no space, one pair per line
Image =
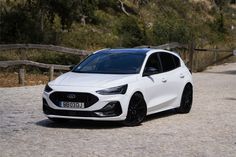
137,111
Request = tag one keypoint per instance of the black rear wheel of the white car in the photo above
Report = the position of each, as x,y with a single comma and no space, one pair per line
186,100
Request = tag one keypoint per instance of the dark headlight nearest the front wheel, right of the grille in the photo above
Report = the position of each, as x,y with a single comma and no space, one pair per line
113,90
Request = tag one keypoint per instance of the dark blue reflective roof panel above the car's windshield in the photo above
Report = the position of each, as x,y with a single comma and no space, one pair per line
126,50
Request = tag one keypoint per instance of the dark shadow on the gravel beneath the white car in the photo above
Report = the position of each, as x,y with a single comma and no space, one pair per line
89,124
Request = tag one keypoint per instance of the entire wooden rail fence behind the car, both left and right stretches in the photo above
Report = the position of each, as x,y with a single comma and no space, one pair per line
188,55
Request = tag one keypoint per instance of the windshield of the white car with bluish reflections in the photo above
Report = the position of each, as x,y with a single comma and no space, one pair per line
111,63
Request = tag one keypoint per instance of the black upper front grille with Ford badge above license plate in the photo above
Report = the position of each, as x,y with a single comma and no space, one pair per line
87,98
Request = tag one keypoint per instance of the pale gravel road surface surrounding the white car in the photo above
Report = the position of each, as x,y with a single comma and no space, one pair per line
208,131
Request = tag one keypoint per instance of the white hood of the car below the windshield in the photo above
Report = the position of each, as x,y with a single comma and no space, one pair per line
93,80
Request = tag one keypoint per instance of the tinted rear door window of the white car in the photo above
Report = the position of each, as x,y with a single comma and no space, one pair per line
167,61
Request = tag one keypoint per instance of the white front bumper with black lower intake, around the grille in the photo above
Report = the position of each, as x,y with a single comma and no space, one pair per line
97,111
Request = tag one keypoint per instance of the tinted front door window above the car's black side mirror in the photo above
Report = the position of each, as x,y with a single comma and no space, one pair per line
153,62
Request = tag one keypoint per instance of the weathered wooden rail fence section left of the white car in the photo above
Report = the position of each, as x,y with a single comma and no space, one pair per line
24,62
